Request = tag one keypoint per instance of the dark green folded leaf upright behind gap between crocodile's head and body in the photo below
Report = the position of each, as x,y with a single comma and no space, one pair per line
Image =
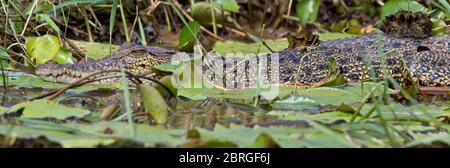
188,36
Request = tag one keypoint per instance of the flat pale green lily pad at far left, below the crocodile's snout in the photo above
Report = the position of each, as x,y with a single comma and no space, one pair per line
48,109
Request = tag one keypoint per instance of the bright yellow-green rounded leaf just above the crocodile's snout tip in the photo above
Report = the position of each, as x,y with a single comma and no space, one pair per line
42,48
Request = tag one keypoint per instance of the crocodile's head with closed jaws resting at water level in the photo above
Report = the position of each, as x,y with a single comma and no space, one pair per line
136,59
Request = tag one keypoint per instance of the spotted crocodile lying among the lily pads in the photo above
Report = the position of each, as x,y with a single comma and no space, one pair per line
412,57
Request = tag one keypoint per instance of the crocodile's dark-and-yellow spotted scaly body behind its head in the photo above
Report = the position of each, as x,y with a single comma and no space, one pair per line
423,61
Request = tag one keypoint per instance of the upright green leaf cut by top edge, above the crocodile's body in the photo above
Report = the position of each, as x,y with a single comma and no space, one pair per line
307,11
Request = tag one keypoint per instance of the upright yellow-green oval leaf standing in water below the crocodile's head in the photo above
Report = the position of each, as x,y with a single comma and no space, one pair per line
154,103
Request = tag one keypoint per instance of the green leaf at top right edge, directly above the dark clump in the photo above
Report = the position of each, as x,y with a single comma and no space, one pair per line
393,6
